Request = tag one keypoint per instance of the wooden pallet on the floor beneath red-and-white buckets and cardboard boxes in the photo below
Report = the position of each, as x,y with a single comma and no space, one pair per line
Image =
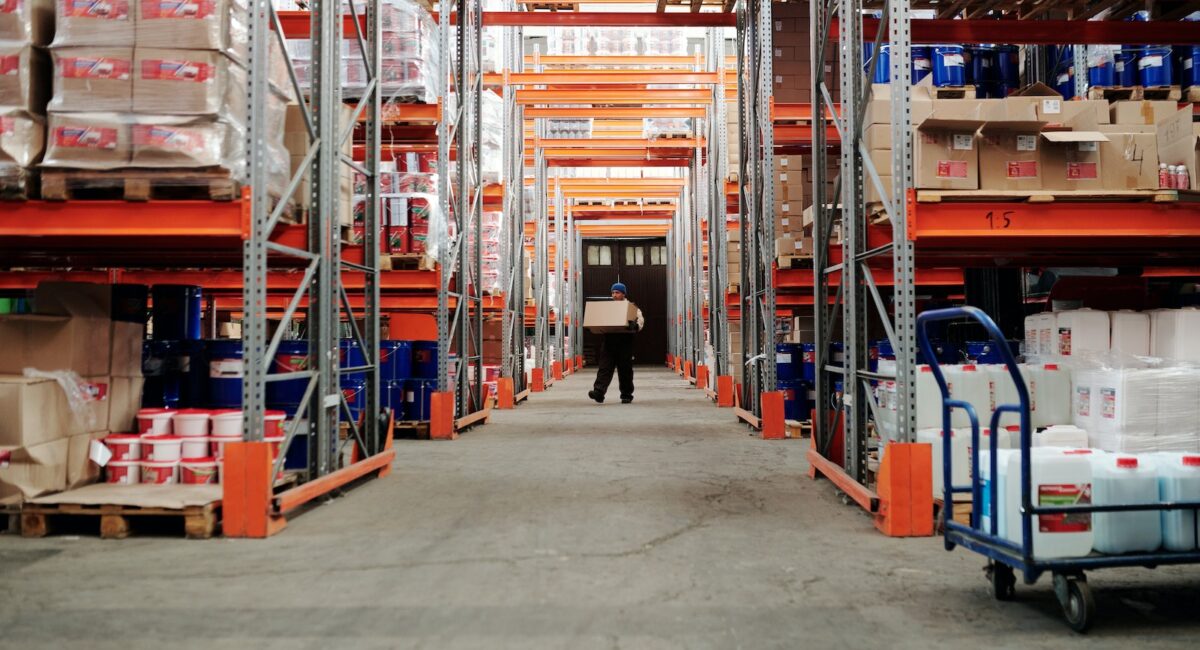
117,522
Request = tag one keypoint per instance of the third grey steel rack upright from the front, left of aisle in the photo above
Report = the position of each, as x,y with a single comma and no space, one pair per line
514,274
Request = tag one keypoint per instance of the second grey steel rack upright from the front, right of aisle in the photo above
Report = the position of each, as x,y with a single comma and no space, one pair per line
757,201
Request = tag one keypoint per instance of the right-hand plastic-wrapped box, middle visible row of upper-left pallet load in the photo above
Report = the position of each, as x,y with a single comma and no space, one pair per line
187,82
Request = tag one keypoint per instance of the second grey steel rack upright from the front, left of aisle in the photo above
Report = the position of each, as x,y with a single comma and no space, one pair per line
461,195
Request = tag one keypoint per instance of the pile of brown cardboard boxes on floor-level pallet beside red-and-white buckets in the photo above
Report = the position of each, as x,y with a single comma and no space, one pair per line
46,434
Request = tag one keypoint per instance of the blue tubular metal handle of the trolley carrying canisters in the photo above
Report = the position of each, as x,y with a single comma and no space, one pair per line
949,405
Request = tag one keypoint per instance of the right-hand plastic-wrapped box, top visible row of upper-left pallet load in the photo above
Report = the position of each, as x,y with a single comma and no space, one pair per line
221,26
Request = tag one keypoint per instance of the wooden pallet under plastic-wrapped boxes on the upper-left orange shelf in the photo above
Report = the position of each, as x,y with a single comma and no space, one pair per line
140,185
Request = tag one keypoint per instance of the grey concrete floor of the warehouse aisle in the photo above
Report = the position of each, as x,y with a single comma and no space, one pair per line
568,525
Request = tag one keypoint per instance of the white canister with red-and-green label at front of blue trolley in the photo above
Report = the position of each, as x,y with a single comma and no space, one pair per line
1059,478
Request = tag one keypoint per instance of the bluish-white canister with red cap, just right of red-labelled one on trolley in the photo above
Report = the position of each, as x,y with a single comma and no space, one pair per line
1125,480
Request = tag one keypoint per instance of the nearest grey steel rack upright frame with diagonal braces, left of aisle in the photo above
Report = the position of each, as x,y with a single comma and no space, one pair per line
317,420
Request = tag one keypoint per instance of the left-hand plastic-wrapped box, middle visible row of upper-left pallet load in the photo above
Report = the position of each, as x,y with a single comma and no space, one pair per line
93,80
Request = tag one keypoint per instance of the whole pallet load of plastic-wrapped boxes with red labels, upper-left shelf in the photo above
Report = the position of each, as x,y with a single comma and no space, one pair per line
151,100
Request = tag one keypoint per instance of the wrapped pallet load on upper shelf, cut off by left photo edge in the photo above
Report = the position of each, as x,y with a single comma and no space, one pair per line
26,29
